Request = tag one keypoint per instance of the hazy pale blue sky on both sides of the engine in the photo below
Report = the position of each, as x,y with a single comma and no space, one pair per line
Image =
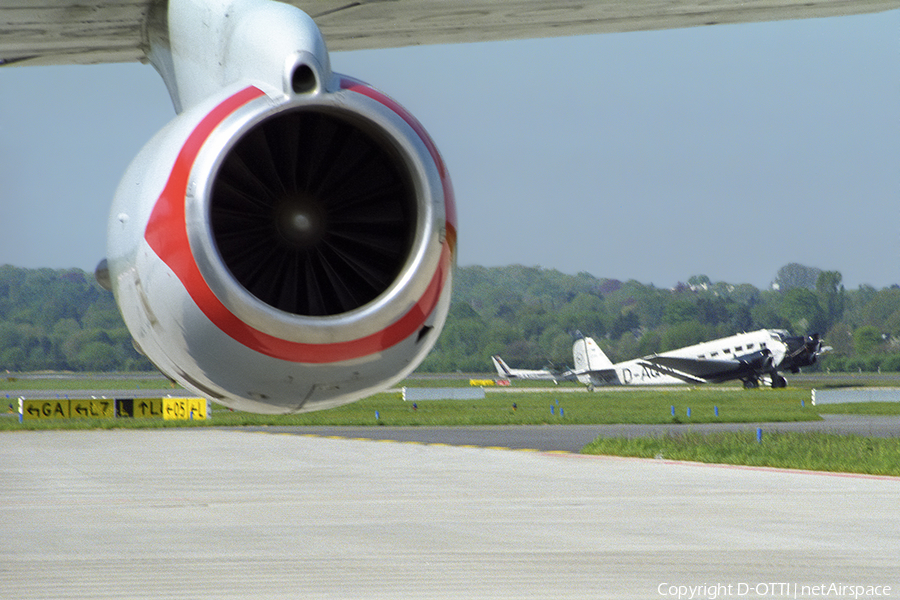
726,151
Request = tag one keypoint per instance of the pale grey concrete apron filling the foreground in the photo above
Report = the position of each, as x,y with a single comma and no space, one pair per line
213,513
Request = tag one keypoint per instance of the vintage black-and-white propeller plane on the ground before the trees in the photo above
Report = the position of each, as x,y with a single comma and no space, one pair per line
752,357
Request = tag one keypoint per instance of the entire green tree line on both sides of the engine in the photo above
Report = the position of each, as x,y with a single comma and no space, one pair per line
62,320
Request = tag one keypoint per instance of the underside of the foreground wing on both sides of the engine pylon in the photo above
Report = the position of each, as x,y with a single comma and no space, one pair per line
95,31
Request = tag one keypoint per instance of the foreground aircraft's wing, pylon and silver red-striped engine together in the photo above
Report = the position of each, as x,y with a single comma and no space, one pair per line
287,241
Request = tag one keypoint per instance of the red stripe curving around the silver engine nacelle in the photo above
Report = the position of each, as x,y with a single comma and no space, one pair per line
166,234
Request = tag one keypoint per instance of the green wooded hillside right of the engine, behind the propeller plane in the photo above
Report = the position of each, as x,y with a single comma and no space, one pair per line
540,309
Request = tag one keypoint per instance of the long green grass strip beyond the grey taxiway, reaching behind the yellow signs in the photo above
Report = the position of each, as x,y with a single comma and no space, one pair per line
531,408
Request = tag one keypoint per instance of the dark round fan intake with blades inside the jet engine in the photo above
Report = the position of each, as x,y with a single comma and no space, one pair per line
313,212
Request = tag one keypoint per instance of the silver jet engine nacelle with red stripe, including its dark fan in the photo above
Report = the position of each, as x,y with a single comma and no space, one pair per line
282,252
